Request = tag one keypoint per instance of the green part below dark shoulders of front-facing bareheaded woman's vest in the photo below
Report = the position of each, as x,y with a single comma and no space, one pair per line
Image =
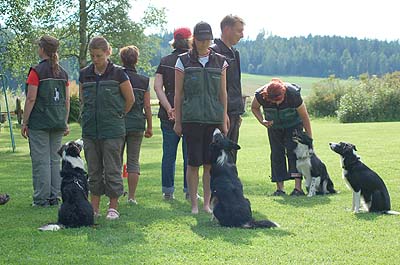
103,110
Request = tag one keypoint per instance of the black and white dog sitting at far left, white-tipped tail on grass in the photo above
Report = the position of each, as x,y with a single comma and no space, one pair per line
75,210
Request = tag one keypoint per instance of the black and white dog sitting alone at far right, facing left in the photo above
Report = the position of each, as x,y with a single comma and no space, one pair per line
363,181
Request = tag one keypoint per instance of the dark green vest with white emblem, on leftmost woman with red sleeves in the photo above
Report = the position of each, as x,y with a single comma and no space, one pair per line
49,111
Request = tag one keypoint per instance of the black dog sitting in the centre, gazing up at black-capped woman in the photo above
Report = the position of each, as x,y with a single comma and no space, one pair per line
228,204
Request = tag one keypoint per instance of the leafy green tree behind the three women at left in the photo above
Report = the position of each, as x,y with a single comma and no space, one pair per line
74,22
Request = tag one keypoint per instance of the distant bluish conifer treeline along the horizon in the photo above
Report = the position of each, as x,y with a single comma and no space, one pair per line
316,56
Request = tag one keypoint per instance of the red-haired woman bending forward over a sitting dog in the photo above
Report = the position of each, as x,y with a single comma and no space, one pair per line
284,112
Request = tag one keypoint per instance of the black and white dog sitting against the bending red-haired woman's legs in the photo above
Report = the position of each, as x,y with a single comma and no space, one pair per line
310,166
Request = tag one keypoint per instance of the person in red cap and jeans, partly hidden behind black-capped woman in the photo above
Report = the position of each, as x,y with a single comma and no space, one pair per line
164,85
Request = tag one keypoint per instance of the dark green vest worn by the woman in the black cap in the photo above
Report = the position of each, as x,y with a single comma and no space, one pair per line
201,102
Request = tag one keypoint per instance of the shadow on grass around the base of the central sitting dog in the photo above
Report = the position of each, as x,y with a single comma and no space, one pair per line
211,230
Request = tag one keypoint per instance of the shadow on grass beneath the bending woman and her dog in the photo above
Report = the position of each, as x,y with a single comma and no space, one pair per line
303,201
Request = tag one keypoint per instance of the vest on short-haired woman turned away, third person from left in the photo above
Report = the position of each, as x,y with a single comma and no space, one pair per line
135,120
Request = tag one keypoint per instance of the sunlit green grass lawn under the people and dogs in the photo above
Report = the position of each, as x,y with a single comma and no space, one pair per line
318,230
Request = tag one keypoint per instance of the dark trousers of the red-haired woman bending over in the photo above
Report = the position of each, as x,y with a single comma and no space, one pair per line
282,146
